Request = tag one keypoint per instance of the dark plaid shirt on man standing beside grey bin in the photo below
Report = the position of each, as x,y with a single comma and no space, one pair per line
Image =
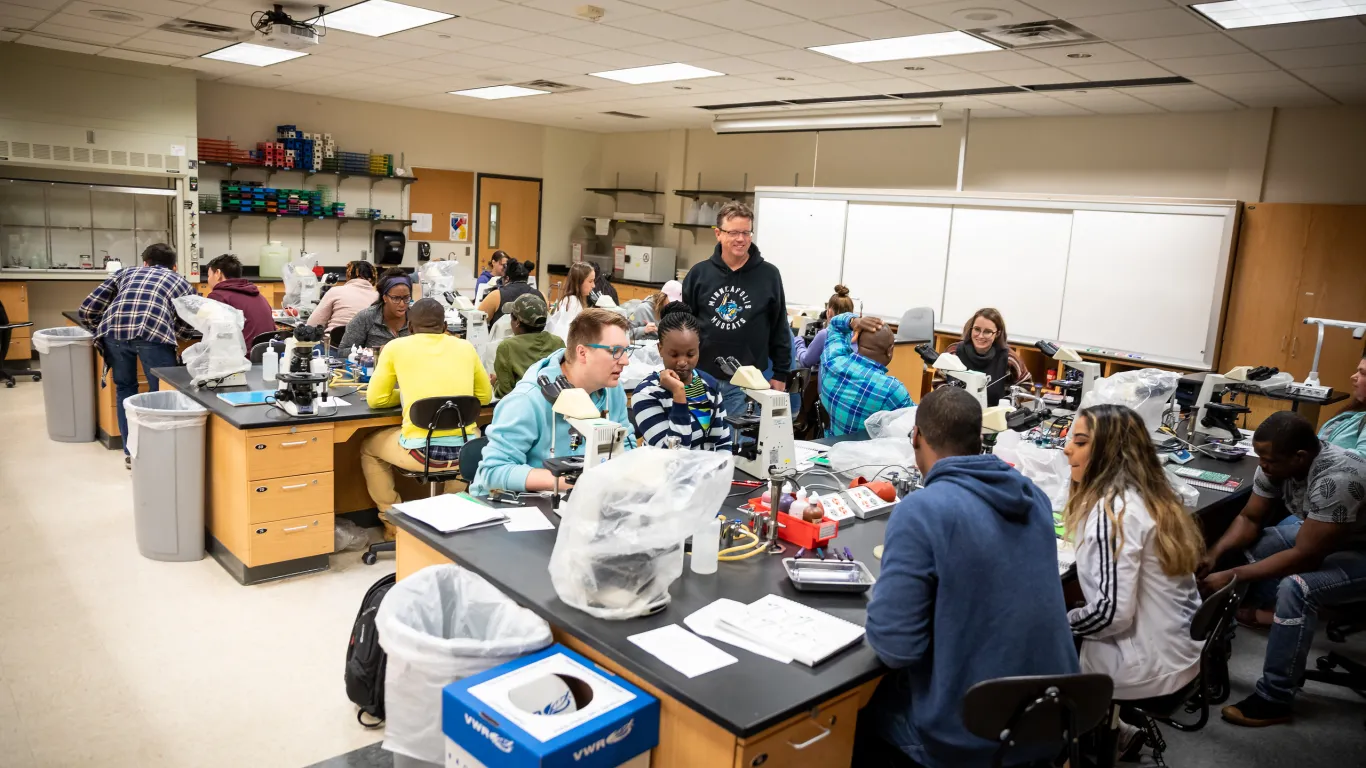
136,304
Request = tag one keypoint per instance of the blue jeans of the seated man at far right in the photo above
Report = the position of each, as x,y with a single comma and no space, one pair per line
1297,599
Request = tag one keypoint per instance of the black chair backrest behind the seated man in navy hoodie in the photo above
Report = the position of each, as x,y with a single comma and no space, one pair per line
1048,713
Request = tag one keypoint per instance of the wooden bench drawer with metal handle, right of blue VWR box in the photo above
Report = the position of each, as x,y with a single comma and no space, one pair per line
823,740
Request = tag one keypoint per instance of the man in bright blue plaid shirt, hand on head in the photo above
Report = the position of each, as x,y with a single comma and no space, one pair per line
856,385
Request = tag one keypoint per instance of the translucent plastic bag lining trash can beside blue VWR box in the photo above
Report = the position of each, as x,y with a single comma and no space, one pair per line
442,625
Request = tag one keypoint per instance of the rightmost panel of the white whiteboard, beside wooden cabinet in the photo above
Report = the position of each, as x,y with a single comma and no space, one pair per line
1143,282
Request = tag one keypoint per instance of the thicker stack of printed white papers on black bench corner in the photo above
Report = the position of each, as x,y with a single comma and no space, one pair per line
790,628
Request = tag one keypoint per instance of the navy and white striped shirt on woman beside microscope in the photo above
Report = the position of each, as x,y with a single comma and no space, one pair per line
700,424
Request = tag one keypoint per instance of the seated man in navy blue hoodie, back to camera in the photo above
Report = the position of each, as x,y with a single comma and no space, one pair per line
969,592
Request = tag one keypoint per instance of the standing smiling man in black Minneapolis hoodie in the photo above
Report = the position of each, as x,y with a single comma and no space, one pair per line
740,300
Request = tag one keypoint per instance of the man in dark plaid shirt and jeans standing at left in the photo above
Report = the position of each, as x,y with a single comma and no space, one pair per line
133,319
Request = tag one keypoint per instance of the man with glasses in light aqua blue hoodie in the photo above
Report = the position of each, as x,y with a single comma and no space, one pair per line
520,435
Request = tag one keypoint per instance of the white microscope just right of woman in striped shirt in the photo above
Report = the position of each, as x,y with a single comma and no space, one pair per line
766,441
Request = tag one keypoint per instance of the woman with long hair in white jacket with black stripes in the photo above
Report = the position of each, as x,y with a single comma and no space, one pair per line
1137,550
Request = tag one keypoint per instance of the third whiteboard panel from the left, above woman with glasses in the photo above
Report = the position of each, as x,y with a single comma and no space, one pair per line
1014,260
